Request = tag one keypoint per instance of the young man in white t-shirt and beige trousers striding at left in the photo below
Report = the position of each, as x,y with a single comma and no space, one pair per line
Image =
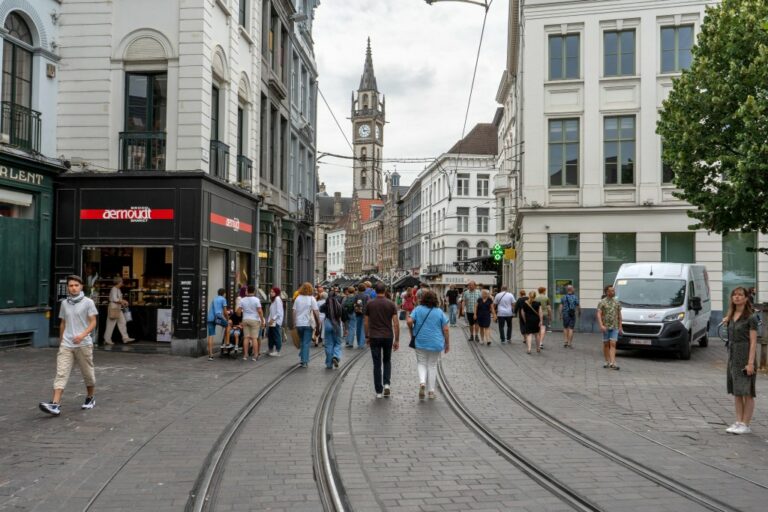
77,315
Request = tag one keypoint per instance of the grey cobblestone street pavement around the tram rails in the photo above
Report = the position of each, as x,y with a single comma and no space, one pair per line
157,418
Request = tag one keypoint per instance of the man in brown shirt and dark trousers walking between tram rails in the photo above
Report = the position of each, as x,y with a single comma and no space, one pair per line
381,326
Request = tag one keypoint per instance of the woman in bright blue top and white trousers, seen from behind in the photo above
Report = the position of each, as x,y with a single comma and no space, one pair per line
429,324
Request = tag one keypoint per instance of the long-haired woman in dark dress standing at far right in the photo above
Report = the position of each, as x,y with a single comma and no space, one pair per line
742,350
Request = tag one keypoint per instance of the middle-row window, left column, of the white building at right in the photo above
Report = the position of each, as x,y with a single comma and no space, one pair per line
563,152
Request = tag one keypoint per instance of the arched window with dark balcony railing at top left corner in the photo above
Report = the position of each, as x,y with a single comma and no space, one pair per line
17,83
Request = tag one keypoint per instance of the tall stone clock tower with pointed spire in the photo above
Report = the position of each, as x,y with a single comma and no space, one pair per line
368,133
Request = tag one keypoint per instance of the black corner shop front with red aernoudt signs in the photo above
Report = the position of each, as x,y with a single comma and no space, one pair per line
173,238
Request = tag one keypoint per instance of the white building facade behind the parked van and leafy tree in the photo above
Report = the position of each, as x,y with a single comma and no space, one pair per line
594,192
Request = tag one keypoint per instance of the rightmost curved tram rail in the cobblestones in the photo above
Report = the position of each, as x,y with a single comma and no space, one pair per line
644,471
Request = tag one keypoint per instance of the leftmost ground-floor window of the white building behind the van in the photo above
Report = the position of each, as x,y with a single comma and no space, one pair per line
562,268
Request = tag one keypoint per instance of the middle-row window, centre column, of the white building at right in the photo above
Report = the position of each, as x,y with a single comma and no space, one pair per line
619,150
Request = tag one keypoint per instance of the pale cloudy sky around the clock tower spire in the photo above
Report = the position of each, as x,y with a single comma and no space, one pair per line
423,57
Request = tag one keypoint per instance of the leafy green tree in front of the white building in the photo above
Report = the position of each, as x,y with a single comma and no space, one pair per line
714,123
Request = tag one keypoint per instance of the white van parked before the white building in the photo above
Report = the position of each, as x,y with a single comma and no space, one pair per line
663,306
